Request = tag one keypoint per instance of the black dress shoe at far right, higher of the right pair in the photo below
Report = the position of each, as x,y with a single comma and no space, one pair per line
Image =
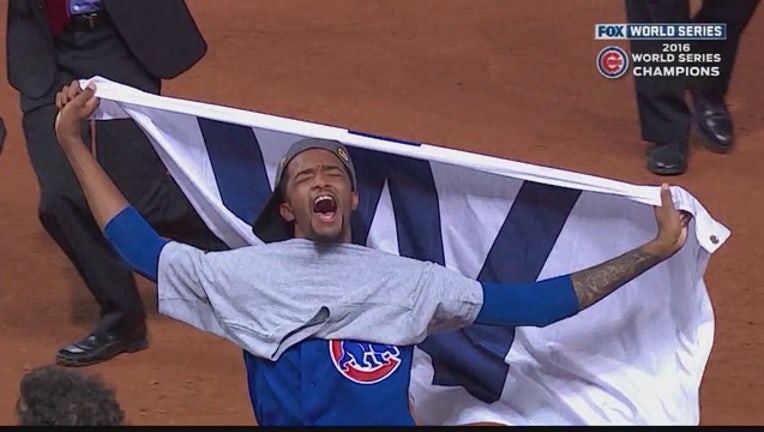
714,123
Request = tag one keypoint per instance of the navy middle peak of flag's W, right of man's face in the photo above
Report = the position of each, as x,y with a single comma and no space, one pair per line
414,199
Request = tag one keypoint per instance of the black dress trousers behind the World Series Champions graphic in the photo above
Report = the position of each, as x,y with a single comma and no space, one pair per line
663,114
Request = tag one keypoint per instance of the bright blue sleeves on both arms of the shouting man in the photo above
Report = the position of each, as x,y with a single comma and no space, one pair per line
532,304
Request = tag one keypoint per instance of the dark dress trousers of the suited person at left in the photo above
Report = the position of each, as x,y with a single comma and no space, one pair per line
130,160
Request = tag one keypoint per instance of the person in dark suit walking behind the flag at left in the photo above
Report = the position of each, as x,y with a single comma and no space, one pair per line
134,42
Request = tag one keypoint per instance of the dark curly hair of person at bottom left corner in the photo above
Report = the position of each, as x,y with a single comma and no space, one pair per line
55,396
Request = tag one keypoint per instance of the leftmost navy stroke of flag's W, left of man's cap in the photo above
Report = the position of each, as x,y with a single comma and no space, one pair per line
238,166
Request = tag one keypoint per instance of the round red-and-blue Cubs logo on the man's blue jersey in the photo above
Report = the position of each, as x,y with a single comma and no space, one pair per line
364,362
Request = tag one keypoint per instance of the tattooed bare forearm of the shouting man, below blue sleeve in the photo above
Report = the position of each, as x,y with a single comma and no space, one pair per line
595,283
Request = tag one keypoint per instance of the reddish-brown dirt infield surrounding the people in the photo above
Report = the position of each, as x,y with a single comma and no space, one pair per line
481,75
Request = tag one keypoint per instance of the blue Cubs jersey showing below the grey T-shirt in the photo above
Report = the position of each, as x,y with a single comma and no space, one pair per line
320,383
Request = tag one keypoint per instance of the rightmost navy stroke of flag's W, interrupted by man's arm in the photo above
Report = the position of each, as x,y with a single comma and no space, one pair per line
474,357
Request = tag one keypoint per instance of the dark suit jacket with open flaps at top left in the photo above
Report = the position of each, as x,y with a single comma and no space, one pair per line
161,34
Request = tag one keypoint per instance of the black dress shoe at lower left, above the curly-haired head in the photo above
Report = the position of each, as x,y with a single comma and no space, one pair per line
96,349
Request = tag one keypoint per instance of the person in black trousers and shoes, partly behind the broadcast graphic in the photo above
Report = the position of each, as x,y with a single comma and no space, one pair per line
665,118
